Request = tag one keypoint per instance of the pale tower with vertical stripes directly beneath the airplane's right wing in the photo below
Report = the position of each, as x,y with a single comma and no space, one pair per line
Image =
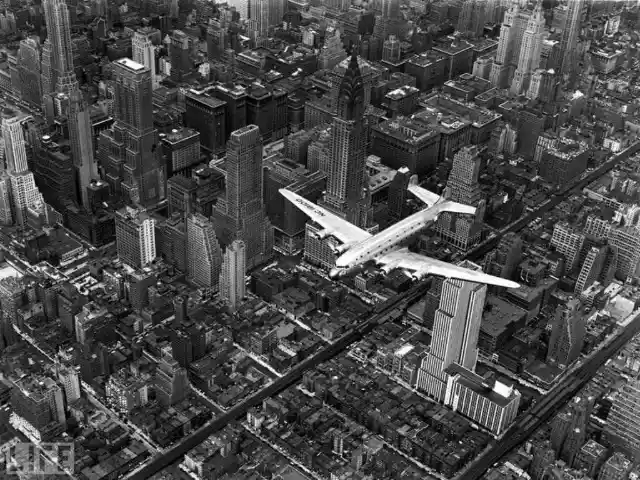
456,328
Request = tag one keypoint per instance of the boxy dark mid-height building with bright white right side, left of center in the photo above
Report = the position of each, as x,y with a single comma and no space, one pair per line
135,237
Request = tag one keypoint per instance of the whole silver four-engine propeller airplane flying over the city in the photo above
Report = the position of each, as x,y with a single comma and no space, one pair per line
359,247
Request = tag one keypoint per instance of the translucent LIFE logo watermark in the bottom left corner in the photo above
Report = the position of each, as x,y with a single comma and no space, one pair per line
39,458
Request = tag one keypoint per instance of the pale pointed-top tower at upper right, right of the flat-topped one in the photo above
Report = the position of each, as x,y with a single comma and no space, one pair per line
529,58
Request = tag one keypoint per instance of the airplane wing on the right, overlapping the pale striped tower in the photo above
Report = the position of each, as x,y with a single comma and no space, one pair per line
421,266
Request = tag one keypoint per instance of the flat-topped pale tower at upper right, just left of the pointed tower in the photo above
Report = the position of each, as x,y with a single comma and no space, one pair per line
511,34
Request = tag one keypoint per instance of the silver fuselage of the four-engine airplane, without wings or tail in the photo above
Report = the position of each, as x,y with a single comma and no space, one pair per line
384,242
